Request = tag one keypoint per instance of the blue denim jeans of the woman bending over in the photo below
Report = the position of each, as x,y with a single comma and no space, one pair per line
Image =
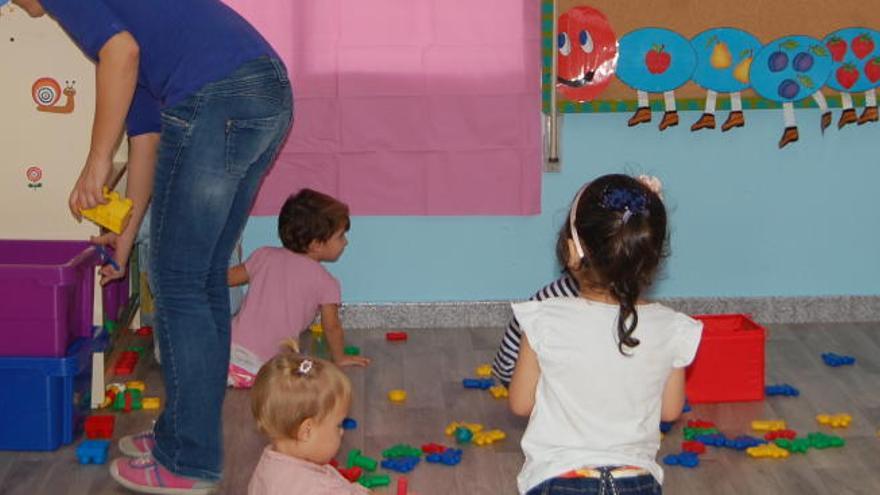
214,150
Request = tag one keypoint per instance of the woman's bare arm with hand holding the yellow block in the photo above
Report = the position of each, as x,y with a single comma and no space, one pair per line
116,76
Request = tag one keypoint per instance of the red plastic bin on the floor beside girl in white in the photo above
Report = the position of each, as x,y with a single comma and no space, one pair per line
729,366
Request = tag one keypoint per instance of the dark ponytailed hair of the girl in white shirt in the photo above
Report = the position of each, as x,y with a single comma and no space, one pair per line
620,224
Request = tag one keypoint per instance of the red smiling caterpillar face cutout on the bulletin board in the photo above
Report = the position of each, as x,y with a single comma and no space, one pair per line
587,54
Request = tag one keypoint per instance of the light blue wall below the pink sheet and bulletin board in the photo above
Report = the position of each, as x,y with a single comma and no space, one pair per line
747,219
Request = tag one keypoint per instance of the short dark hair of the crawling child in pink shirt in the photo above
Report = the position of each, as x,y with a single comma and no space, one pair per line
310,216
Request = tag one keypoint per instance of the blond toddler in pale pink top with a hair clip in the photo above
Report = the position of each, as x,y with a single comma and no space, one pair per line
299,403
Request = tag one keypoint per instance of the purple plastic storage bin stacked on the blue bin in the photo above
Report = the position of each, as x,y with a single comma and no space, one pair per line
46,295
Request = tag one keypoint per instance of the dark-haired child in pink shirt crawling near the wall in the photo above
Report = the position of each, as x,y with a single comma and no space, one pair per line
288,286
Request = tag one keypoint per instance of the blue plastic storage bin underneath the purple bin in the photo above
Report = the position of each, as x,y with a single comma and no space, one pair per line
44,401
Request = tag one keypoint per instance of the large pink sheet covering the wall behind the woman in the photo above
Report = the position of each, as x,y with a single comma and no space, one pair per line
409,107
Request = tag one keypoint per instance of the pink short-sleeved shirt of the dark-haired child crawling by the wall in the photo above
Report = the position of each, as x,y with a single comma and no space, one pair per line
284,294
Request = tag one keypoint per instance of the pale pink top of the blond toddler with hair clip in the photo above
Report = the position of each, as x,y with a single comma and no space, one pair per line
279,474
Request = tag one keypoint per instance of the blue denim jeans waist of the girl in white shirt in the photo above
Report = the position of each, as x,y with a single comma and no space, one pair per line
606,485
